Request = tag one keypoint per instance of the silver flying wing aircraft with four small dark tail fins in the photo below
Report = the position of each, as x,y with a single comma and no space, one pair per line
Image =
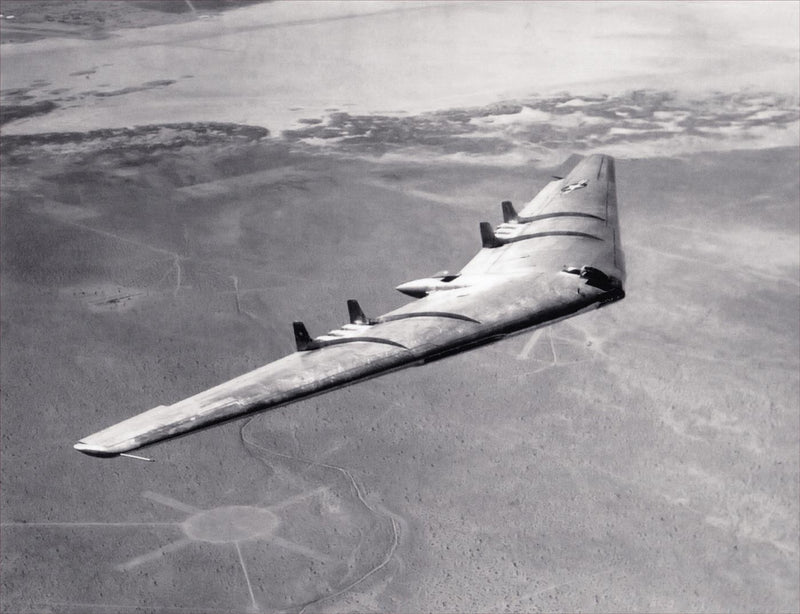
560,255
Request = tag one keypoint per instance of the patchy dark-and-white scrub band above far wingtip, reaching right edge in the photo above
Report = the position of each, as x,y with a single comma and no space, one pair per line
639,115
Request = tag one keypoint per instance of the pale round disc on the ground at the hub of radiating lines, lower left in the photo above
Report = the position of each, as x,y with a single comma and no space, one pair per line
231,524
